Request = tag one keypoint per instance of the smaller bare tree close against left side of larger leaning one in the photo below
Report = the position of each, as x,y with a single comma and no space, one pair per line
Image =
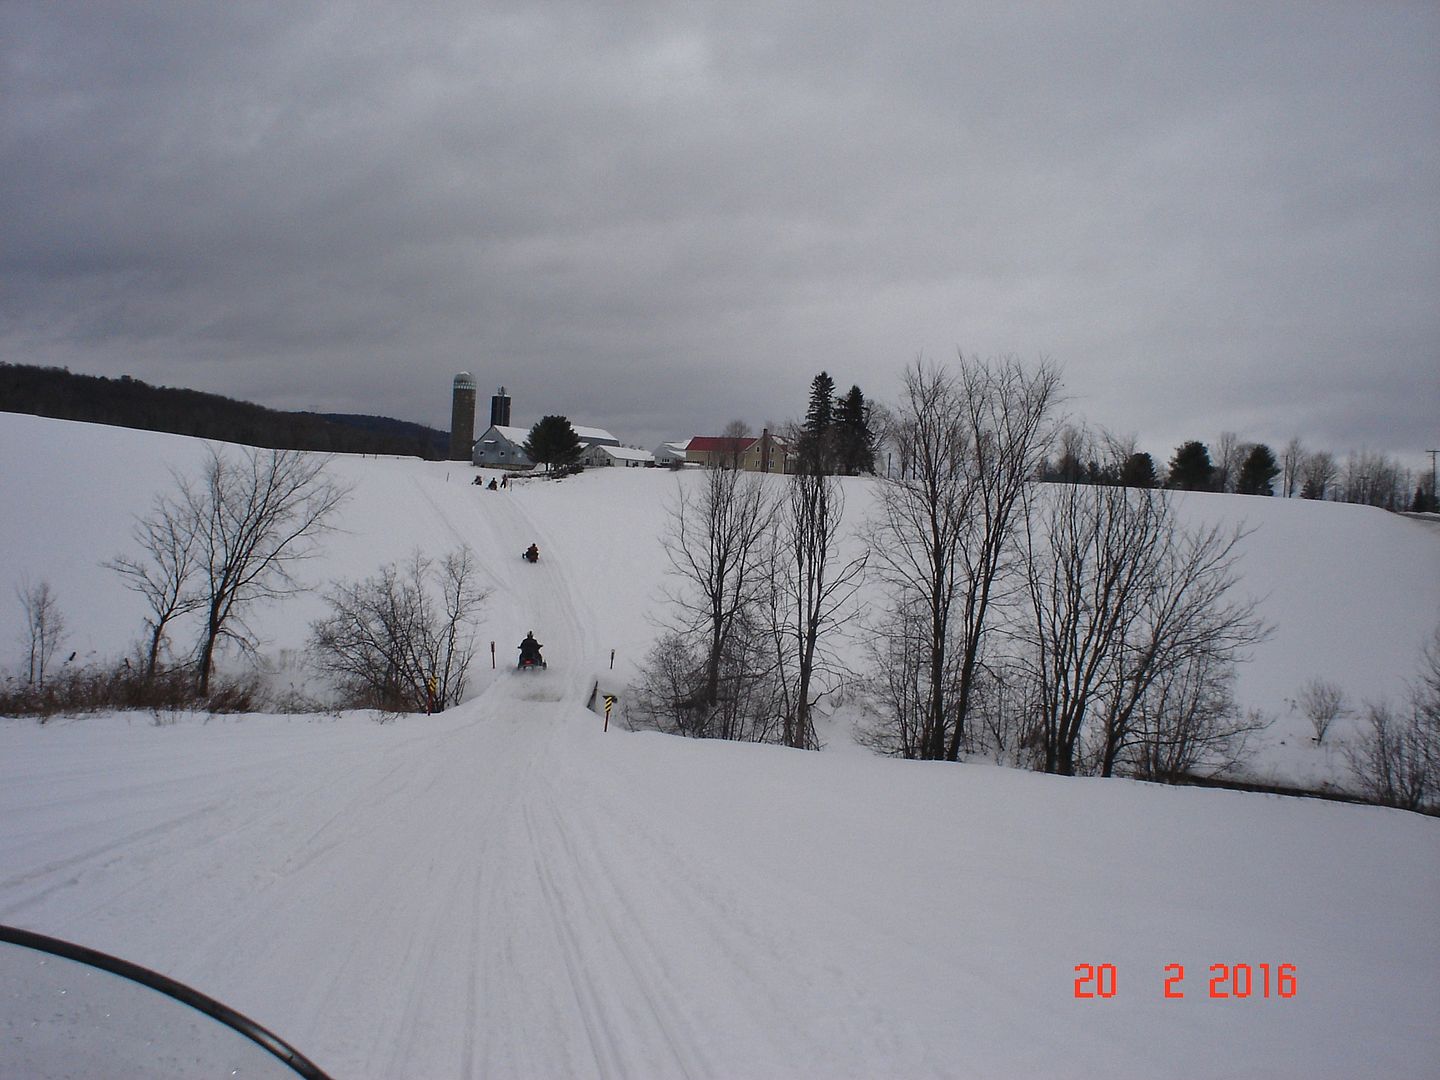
165,572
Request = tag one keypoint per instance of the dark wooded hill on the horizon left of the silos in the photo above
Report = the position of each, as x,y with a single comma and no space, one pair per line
132,404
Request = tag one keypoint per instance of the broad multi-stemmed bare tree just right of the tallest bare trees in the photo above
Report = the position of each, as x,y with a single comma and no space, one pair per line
1134,633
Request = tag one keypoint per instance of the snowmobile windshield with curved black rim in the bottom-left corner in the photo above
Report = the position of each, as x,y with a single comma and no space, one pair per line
76,1012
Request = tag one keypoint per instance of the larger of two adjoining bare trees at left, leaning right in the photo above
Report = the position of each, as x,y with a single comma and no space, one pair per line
256,518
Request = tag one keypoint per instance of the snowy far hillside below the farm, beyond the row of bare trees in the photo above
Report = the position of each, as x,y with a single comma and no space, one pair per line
1353,593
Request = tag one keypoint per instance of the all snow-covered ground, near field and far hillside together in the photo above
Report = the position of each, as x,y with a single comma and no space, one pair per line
509,891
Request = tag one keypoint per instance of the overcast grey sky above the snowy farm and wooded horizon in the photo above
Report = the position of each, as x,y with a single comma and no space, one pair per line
659,218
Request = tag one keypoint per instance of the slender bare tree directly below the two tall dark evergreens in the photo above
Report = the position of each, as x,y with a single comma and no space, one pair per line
810,595
